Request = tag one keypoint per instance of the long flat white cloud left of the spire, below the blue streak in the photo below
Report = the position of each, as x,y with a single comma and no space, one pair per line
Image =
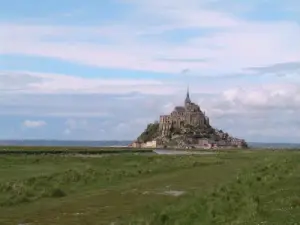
45,83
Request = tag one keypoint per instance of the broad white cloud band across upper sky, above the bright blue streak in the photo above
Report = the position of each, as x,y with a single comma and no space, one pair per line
215,41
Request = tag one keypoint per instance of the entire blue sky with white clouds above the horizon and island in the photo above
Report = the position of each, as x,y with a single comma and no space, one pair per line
103,70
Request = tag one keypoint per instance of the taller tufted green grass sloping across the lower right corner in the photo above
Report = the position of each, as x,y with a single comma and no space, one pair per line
245,200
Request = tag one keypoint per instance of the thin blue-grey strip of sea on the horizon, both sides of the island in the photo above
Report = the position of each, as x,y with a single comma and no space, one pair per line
121,143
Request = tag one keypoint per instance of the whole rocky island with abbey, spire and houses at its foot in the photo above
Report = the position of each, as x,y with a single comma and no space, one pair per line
186,127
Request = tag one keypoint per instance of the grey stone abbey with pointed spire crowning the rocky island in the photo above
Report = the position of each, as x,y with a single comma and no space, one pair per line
189,114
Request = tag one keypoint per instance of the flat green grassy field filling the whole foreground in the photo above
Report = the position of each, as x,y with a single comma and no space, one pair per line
247,187
